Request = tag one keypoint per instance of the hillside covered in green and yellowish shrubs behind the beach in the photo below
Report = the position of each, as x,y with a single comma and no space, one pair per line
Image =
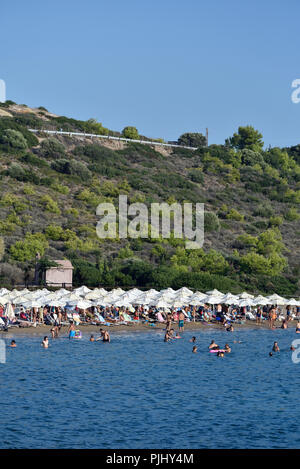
51,186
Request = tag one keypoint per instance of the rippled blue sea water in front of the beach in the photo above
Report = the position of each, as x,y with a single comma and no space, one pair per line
139,392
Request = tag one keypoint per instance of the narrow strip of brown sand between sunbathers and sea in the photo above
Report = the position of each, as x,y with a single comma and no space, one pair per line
42,330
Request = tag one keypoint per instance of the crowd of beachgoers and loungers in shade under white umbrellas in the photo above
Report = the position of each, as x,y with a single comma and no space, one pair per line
220,313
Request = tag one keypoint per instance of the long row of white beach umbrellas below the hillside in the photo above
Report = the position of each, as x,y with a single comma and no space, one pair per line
84,298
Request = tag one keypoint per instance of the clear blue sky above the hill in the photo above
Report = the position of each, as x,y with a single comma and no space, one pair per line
164,66
